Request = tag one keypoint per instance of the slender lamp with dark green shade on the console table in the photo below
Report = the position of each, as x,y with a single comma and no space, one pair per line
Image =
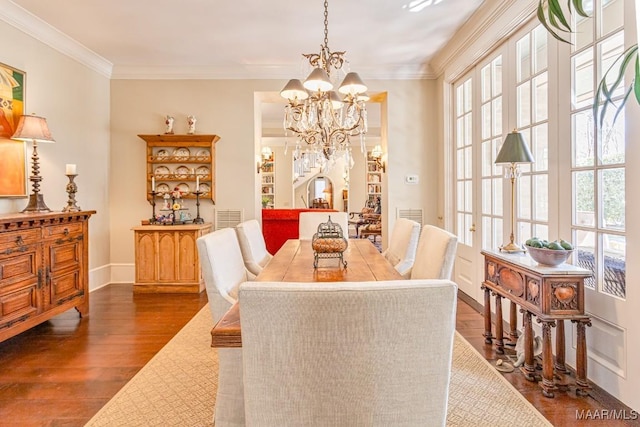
513,152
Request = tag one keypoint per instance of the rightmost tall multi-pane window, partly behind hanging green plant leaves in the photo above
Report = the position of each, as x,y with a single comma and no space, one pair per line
598,153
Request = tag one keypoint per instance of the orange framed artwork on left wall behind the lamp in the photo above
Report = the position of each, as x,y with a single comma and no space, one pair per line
13,161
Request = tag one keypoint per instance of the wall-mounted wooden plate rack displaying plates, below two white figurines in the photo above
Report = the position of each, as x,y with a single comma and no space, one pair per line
183,162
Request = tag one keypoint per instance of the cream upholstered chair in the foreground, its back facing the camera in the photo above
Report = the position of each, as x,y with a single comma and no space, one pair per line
347,353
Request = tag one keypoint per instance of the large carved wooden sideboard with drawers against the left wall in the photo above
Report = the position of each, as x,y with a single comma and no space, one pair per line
43,268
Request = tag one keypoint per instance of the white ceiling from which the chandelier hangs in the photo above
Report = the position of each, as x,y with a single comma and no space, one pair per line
253,39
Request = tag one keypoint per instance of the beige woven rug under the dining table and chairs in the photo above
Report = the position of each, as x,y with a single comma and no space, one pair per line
177,388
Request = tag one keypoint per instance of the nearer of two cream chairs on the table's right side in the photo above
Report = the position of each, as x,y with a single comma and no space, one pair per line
435,255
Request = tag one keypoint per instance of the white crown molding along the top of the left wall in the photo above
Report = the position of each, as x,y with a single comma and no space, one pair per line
35,27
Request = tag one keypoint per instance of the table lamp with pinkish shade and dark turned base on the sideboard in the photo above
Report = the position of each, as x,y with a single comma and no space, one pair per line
35,129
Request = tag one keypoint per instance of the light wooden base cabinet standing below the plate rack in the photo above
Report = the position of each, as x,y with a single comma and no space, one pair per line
167,258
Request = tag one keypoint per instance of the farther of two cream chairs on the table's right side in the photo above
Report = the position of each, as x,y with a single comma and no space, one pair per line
403,242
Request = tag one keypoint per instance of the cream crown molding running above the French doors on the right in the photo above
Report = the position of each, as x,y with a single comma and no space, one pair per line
491,23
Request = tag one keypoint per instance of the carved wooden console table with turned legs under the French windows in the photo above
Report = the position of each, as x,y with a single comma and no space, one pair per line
553,295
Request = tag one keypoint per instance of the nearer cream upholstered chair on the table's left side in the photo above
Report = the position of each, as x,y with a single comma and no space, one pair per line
223,271
